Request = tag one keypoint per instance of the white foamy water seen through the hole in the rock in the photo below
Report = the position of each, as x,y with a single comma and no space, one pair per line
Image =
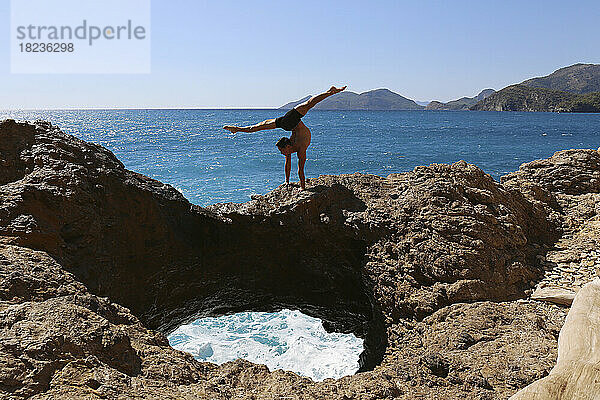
287,339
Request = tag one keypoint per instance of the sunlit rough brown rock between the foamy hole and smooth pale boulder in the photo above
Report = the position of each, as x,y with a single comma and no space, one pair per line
489,349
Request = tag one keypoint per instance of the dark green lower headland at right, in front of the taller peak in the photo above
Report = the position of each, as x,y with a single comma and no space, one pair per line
525,98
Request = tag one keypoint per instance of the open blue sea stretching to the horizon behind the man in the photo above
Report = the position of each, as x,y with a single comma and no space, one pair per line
188,148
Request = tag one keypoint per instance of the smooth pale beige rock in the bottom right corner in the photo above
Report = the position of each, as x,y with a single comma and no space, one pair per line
575,375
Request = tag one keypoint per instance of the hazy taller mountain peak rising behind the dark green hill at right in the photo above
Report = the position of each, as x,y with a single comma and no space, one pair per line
578,79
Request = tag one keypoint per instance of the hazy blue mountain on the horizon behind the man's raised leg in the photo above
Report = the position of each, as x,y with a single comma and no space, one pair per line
378,99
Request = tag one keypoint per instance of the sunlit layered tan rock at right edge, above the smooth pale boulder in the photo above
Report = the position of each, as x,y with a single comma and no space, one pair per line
570,180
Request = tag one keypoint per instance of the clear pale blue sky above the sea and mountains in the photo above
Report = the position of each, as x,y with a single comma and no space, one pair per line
263,53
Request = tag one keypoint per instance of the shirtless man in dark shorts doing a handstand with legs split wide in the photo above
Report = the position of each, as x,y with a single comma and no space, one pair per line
300,139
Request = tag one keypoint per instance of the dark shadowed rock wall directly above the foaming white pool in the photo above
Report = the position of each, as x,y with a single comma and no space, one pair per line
285,258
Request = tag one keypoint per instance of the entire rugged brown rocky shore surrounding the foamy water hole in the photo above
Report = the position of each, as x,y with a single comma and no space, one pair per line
435,268
